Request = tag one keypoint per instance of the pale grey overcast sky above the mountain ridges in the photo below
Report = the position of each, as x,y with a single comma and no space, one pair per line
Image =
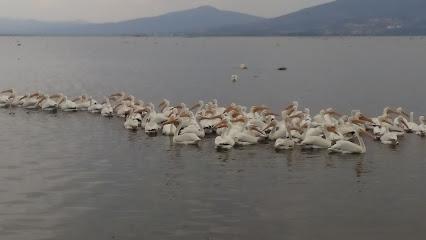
116,10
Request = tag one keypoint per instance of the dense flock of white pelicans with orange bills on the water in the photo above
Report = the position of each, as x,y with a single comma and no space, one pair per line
235,124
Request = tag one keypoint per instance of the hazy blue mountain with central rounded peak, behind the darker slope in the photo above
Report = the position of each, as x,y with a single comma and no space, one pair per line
193,20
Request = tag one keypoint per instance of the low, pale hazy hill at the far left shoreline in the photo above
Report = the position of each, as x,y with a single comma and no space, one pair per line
10,26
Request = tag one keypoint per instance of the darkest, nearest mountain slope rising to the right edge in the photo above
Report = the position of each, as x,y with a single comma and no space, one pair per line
342,17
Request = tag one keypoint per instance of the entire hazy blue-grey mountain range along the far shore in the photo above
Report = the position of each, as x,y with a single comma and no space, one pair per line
340,17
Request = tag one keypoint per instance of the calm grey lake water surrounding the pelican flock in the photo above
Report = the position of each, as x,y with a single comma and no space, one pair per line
82,176
